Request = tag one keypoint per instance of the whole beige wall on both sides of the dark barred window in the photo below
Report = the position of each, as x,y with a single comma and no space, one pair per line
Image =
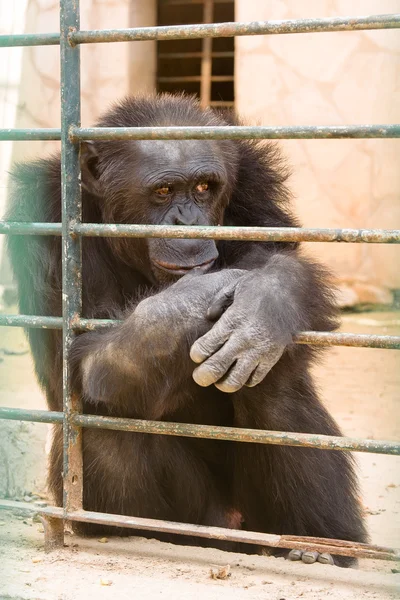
332,78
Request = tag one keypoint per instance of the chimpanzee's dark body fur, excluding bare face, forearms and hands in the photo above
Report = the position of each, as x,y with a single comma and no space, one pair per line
269,488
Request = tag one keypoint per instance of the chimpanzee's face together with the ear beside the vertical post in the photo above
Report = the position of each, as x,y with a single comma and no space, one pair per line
167,183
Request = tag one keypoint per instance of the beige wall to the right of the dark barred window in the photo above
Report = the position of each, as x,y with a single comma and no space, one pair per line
331,79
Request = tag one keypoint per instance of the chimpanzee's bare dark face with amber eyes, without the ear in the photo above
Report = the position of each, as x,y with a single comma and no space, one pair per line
180,183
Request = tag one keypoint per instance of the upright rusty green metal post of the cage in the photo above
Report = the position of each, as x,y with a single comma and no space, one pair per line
71,246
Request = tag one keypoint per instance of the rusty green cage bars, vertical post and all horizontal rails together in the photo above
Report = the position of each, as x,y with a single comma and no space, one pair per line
71,229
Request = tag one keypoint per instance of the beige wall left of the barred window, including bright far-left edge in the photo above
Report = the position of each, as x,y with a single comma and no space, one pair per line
108,72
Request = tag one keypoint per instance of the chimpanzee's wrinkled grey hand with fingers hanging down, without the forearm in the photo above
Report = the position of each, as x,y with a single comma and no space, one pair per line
248,339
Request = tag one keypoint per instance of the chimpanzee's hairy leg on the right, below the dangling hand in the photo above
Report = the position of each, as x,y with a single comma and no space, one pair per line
291,490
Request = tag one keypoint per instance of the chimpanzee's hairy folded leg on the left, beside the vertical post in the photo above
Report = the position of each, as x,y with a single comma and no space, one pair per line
158,477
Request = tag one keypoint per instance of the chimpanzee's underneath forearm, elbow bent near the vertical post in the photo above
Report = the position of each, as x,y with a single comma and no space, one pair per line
133,364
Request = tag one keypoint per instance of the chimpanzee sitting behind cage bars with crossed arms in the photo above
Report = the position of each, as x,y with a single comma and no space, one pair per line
206,333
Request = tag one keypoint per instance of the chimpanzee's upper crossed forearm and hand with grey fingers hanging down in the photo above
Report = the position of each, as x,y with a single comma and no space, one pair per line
281,294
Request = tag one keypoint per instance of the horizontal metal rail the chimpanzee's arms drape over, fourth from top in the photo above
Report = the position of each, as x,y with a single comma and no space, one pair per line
316,338
